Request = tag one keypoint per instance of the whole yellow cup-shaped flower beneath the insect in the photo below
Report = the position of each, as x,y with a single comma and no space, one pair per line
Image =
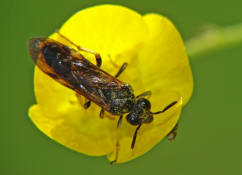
157,61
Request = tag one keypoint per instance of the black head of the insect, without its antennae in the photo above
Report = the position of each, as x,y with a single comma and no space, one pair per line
140,113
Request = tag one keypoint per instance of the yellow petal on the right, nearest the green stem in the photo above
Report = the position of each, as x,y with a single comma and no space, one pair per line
167,68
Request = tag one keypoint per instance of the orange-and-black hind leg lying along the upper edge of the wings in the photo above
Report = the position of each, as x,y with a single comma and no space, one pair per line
97,55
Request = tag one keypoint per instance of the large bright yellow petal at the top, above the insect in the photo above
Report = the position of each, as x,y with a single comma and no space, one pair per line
116,32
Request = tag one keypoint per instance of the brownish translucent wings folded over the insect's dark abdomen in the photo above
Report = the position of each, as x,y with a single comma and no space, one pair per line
72,70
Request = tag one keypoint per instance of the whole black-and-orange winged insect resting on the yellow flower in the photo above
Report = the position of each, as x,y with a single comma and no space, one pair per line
68,67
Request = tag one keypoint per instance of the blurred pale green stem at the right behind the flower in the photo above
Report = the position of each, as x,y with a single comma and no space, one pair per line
214,38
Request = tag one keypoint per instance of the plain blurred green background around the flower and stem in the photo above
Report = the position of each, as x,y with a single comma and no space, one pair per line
210,133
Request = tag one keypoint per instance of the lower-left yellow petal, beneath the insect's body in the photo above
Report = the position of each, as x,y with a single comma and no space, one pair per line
74,131
